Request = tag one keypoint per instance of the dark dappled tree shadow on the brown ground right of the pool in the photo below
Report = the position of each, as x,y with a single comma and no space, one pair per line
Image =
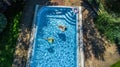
93,46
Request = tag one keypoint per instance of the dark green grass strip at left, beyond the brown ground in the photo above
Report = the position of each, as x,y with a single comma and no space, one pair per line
8,40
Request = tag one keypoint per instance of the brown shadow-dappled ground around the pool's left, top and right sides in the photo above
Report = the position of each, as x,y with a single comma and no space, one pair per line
98,51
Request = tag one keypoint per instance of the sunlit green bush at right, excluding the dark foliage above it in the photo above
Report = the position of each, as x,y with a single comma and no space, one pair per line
107,23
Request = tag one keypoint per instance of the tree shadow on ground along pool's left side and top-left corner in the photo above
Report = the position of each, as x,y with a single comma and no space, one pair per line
21,52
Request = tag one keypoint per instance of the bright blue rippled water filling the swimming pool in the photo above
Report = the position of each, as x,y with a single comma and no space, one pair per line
62,51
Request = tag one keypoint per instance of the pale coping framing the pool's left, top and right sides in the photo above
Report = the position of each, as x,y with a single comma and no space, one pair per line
79,36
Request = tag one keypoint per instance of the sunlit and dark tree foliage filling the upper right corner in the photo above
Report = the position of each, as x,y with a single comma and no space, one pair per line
108,20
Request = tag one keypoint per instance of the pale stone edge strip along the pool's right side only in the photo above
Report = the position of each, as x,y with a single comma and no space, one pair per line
80,42
